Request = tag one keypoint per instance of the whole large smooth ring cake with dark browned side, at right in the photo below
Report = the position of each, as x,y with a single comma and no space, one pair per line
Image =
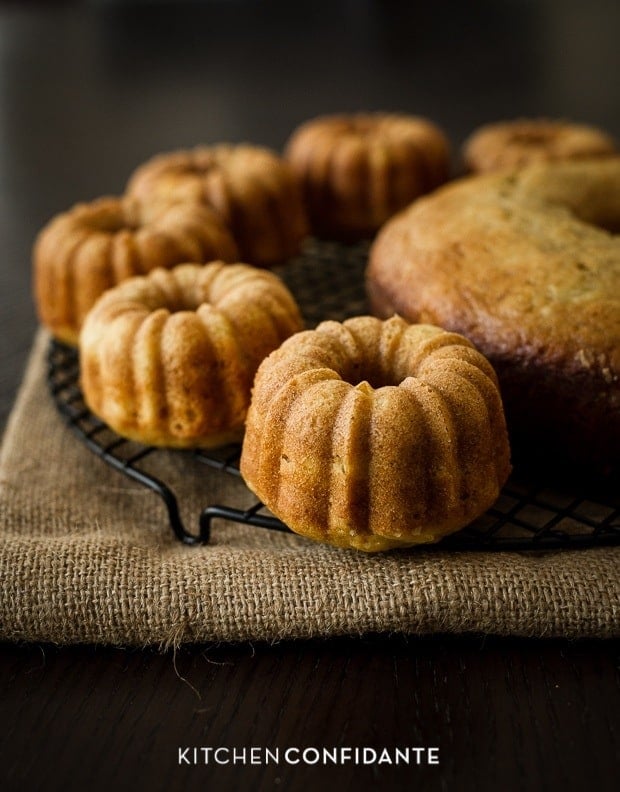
516,262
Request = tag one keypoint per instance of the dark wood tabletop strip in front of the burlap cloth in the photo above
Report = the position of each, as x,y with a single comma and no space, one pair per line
504,714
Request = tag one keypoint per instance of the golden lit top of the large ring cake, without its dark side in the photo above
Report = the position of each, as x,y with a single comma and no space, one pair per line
519,261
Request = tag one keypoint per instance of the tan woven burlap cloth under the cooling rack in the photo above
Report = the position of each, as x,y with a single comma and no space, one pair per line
87,556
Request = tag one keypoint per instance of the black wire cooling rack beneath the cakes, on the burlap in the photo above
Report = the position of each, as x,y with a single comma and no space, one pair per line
327,280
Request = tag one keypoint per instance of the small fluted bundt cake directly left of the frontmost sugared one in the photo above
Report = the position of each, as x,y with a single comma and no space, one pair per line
168,359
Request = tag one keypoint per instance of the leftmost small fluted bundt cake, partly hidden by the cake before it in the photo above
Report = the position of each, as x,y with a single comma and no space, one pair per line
92,247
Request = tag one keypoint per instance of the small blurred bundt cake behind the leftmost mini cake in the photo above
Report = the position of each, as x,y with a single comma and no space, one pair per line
253,190
